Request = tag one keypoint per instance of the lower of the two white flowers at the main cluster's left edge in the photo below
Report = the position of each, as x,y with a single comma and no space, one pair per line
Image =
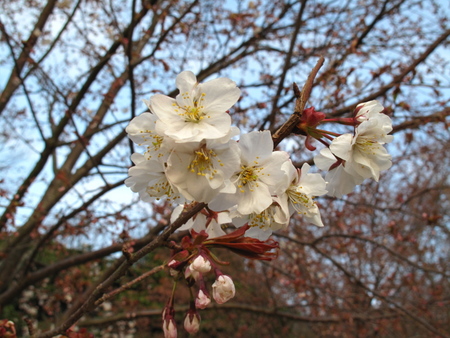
147,178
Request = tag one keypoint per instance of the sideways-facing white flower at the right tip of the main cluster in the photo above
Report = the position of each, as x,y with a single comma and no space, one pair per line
303,187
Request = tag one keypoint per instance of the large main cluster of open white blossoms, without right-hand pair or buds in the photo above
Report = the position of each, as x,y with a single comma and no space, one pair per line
192,155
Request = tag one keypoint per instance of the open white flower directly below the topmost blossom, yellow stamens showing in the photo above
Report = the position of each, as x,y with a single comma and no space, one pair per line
200,169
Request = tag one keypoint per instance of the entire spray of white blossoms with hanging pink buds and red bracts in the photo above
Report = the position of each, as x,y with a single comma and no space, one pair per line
192,155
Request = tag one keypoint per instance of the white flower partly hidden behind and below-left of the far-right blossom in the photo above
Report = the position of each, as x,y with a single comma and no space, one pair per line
339,181
